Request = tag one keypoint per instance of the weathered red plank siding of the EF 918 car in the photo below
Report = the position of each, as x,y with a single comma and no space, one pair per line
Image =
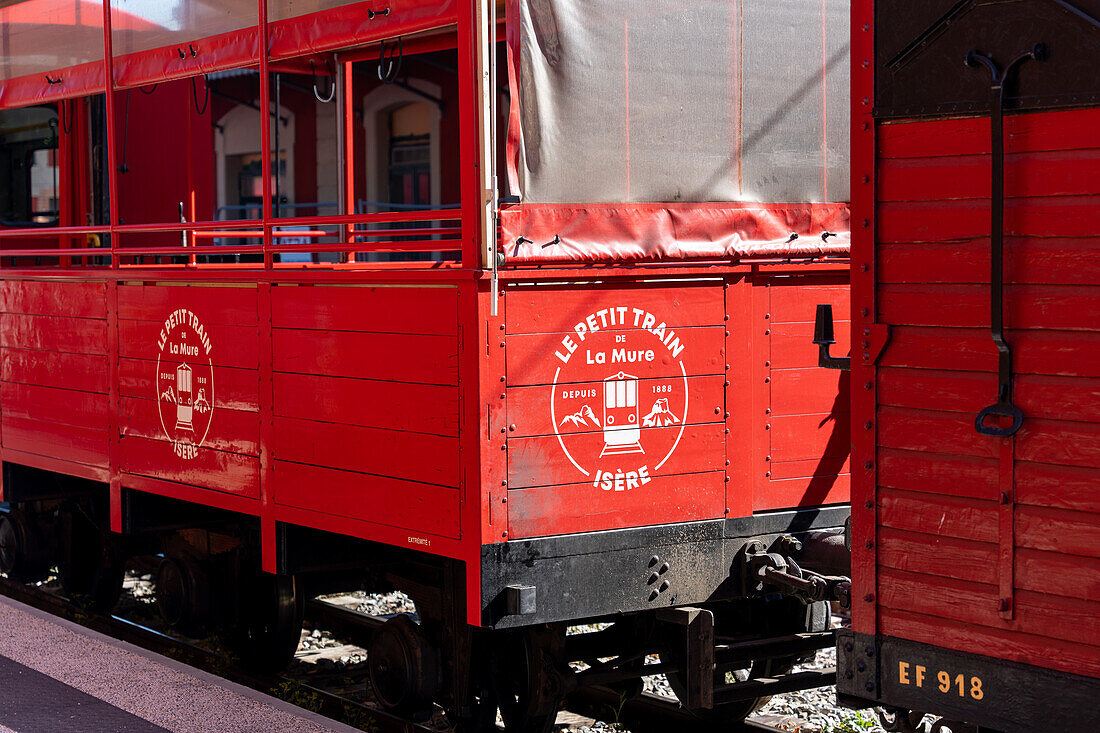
939,480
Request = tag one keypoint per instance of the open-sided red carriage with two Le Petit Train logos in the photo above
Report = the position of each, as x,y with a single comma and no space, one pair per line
514,315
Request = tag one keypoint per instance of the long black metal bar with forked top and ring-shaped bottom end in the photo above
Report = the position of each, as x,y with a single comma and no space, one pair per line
999,80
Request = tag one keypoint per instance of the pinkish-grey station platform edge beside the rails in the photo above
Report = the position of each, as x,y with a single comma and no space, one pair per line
59,677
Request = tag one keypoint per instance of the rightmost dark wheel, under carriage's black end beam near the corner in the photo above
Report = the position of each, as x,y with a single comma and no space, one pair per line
516,677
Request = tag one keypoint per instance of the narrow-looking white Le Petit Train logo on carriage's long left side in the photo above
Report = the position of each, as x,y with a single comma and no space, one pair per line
185,382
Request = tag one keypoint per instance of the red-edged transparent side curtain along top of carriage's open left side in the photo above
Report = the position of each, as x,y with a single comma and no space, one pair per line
162,40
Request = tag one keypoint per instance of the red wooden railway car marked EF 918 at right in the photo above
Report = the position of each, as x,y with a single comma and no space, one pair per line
975,502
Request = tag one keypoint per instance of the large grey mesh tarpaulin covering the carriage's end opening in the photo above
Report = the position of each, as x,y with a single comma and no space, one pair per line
681,101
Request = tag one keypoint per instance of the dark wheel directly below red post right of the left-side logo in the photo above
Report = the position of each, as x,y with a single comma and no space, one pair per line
270,623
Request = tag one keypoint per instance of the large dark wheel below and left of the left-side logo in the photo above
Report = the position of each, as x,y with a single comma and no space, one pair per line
91,565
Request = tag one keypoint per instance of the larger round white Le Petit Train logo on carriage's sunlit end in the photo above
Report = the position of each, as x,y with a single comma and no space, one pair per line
620,398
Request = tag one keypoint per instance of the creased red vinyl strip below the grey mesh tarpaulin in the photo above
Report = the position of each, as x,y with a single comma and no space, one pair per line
596,233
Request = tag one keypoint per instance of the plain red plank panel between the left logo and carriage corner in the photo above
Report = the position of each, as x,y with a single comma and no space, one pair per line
366,390
